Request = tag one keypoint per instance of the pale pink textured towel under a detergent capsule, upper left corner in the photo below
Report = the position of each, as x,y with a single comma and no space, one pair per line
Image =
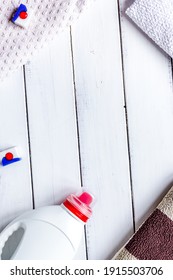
49,18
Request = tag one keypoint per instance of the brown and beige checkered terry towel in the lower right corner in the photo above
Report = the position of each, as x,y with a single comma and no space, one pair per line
154,239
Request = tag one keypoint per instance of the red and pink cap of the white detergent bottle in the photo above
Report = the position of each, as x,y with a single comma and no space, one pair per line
79,205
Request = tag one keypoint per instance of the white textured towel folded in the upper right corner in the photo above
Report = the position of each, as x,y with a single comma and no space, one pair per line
155,18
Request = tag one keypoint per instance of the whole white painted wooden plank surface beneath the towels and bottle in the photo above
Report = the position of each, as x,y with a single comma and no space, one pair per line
94,109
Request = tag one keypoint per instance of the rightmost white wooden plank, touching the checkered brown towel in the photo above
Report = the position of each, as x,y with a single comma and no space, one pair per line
148,83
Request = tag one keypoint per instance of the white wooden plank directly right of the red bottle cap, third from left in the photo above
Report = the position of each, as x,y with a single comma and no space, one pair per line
102,128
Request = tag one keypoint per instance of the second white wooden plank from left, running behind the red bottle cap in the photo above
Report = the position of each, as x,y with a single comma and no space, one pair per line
52,122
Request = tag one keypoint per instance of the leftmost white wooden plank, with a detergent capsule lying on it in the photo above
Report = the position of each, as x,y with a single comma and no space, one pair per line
15,181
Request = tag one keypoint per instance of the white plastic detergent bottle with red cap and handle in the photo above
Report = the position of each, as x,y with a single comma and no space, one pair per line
52,232
